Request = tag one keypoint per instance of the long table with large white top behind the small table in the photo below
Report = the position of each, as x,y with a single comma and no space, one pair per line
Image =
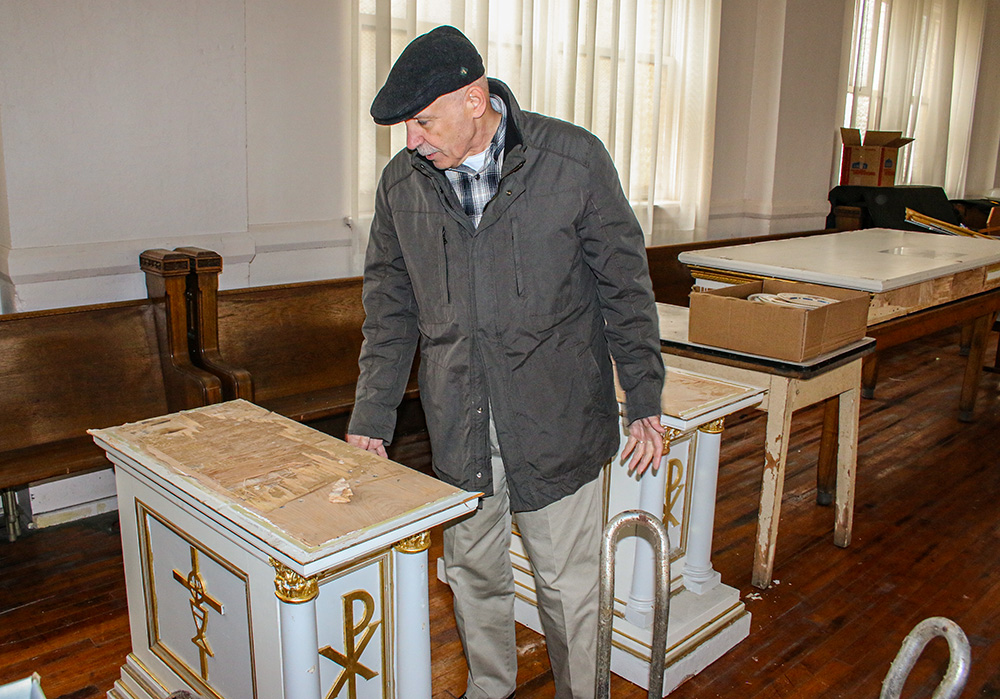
920,283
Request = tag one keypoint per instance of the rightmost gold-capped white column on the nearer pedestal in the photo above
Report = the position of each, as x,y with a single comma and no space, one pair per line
413,636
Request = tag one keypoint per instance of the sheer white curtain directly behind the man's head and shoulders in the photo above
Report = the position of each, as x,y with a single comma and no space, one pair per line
640,74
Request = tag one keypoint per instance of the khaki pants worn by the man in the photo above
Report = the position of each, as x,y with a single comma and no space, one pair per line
563,543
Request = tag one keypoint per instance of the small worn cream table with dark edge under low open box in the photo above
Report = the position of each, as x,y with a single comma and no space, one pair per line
790,386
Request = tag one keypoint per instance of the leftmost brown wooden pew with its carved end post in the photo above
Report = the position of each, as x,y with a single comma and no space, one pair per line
66,370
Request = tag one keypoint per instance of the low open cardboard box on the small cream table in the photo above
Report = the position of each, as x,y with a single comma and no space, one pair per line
725,318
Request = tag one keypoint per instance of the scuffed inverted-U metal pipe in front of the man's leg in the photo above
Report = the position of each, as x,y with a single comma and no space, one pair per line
661,607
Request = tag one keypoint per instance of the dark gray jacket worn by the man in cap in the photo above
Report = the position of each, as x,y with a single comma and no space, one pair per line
520,316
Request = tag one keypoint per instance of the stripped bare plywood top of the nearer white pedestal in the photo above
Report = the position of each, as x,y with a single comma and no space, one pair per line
278,469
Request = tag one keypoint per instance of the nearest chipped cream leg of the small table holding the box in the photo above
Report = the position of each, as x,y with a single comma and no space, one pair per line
779,421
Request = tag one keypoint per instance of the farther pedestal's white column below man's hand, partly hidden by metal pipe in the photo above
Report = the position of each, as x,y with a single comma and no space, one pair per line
652,495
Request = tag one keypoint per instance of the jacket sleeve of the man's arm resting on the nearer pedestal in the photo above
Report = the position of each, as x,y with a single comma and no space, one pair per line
390,329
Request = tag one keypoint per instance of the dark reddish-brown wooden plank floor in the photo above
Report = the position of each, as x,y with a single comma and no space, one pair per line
926,543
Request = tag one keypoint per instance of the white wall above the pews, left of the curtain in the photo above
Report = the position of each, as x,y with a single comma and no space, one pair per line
131,124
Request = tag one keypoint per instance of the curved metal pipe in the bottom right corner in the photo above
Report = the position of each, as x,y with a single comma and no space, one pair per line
954,679
